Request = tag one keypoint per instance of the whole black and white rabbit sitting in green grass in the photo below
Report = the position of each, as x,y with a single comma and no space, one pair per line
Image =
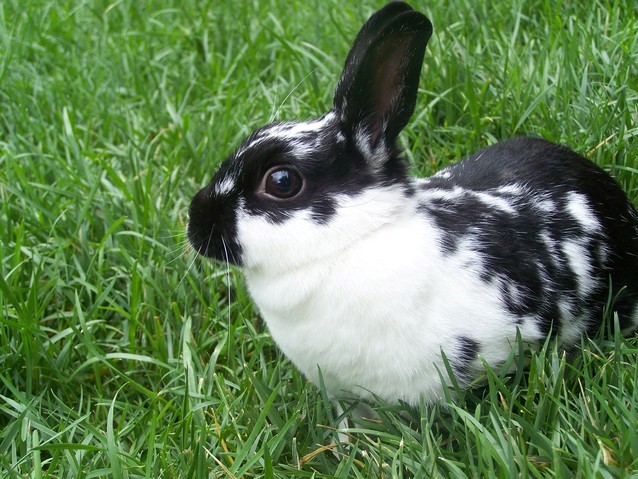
365,275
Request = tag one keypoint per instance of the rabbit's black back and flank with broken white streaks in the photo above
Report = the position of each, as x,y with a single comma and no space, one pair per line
546,225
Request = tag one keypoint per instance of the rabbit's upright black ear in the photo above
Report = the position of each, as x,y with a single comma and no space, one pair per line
376,94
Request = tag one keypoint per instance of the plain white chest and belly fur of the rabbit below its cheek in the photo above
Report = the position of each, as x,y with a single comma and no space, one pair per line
373,317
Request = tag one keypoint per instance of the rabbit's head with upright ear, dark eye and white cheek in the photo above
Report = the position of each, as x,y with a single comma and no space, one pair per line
293,193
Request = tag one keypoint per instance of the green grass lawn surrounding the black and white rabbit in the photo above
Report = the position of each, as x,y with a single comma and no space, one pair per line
122,357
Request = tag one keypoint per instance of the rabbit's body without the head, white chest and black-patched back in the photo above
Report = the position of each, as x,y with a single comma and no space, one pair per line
457,263
